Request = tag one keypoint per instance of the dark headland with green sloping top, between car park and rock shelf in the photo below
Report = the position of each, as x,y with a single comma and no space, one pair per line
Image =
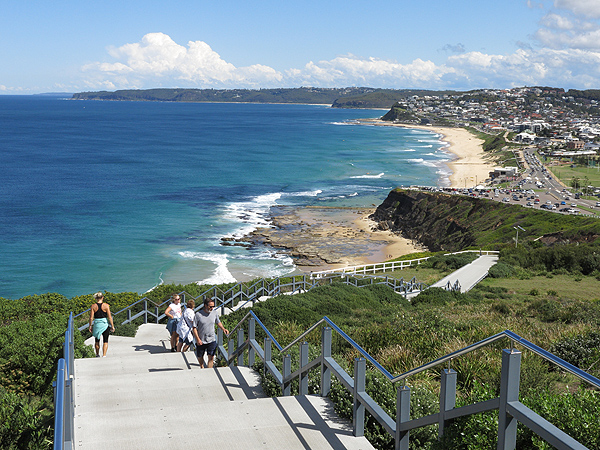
450,222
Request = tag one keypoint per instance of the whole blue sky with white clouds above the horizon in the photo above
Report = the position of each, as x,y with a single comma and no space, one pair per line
72,46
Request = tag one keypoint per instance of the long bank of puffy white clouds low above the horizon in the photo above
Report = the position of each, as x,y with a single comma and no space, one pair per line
571,58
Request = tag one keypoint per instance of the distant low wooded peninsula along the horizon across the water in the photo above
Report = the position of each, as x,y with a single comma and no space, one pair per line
350,97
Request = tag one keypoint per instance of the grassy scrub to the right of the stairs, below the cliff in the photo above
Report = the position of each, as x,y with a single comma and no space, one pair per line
402,335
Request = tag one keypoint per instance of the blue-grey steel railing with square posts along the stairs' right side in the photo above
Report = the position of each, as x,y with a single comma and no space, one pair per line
509,408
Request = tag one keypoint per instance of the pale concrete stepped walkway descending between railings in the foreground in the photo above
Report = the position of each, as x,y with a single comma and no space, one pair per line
143,396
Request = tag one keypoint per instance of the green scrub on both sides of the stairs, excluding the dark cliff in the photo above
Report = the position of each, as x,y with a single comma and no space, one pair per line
551,303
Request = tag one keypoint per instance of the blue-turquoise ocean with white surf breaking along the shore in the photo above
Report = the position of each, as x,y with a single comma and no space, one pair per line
122,196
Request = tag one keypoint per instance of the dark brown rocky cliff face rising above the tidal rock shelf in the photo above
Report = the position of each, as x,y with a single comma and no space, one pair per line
438,221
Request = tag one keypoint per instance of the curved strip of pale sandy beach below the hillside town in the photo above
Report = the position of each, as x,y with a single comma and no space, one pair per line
471,166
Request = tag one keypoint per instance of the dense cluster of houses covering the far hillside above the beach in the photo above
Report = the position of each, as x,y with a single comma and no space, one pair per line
550,118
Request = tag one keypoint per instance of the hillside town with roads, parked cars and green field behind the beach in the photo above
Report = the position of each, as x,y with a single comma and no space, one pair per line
533,139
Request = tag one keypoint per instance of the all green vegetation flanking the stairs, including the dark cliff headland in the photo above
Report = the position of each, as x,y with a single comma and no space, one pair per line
545,290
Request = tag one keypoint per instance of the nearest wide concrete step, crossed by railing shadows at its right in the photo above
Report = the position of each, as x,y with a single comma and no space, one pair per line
270,423
